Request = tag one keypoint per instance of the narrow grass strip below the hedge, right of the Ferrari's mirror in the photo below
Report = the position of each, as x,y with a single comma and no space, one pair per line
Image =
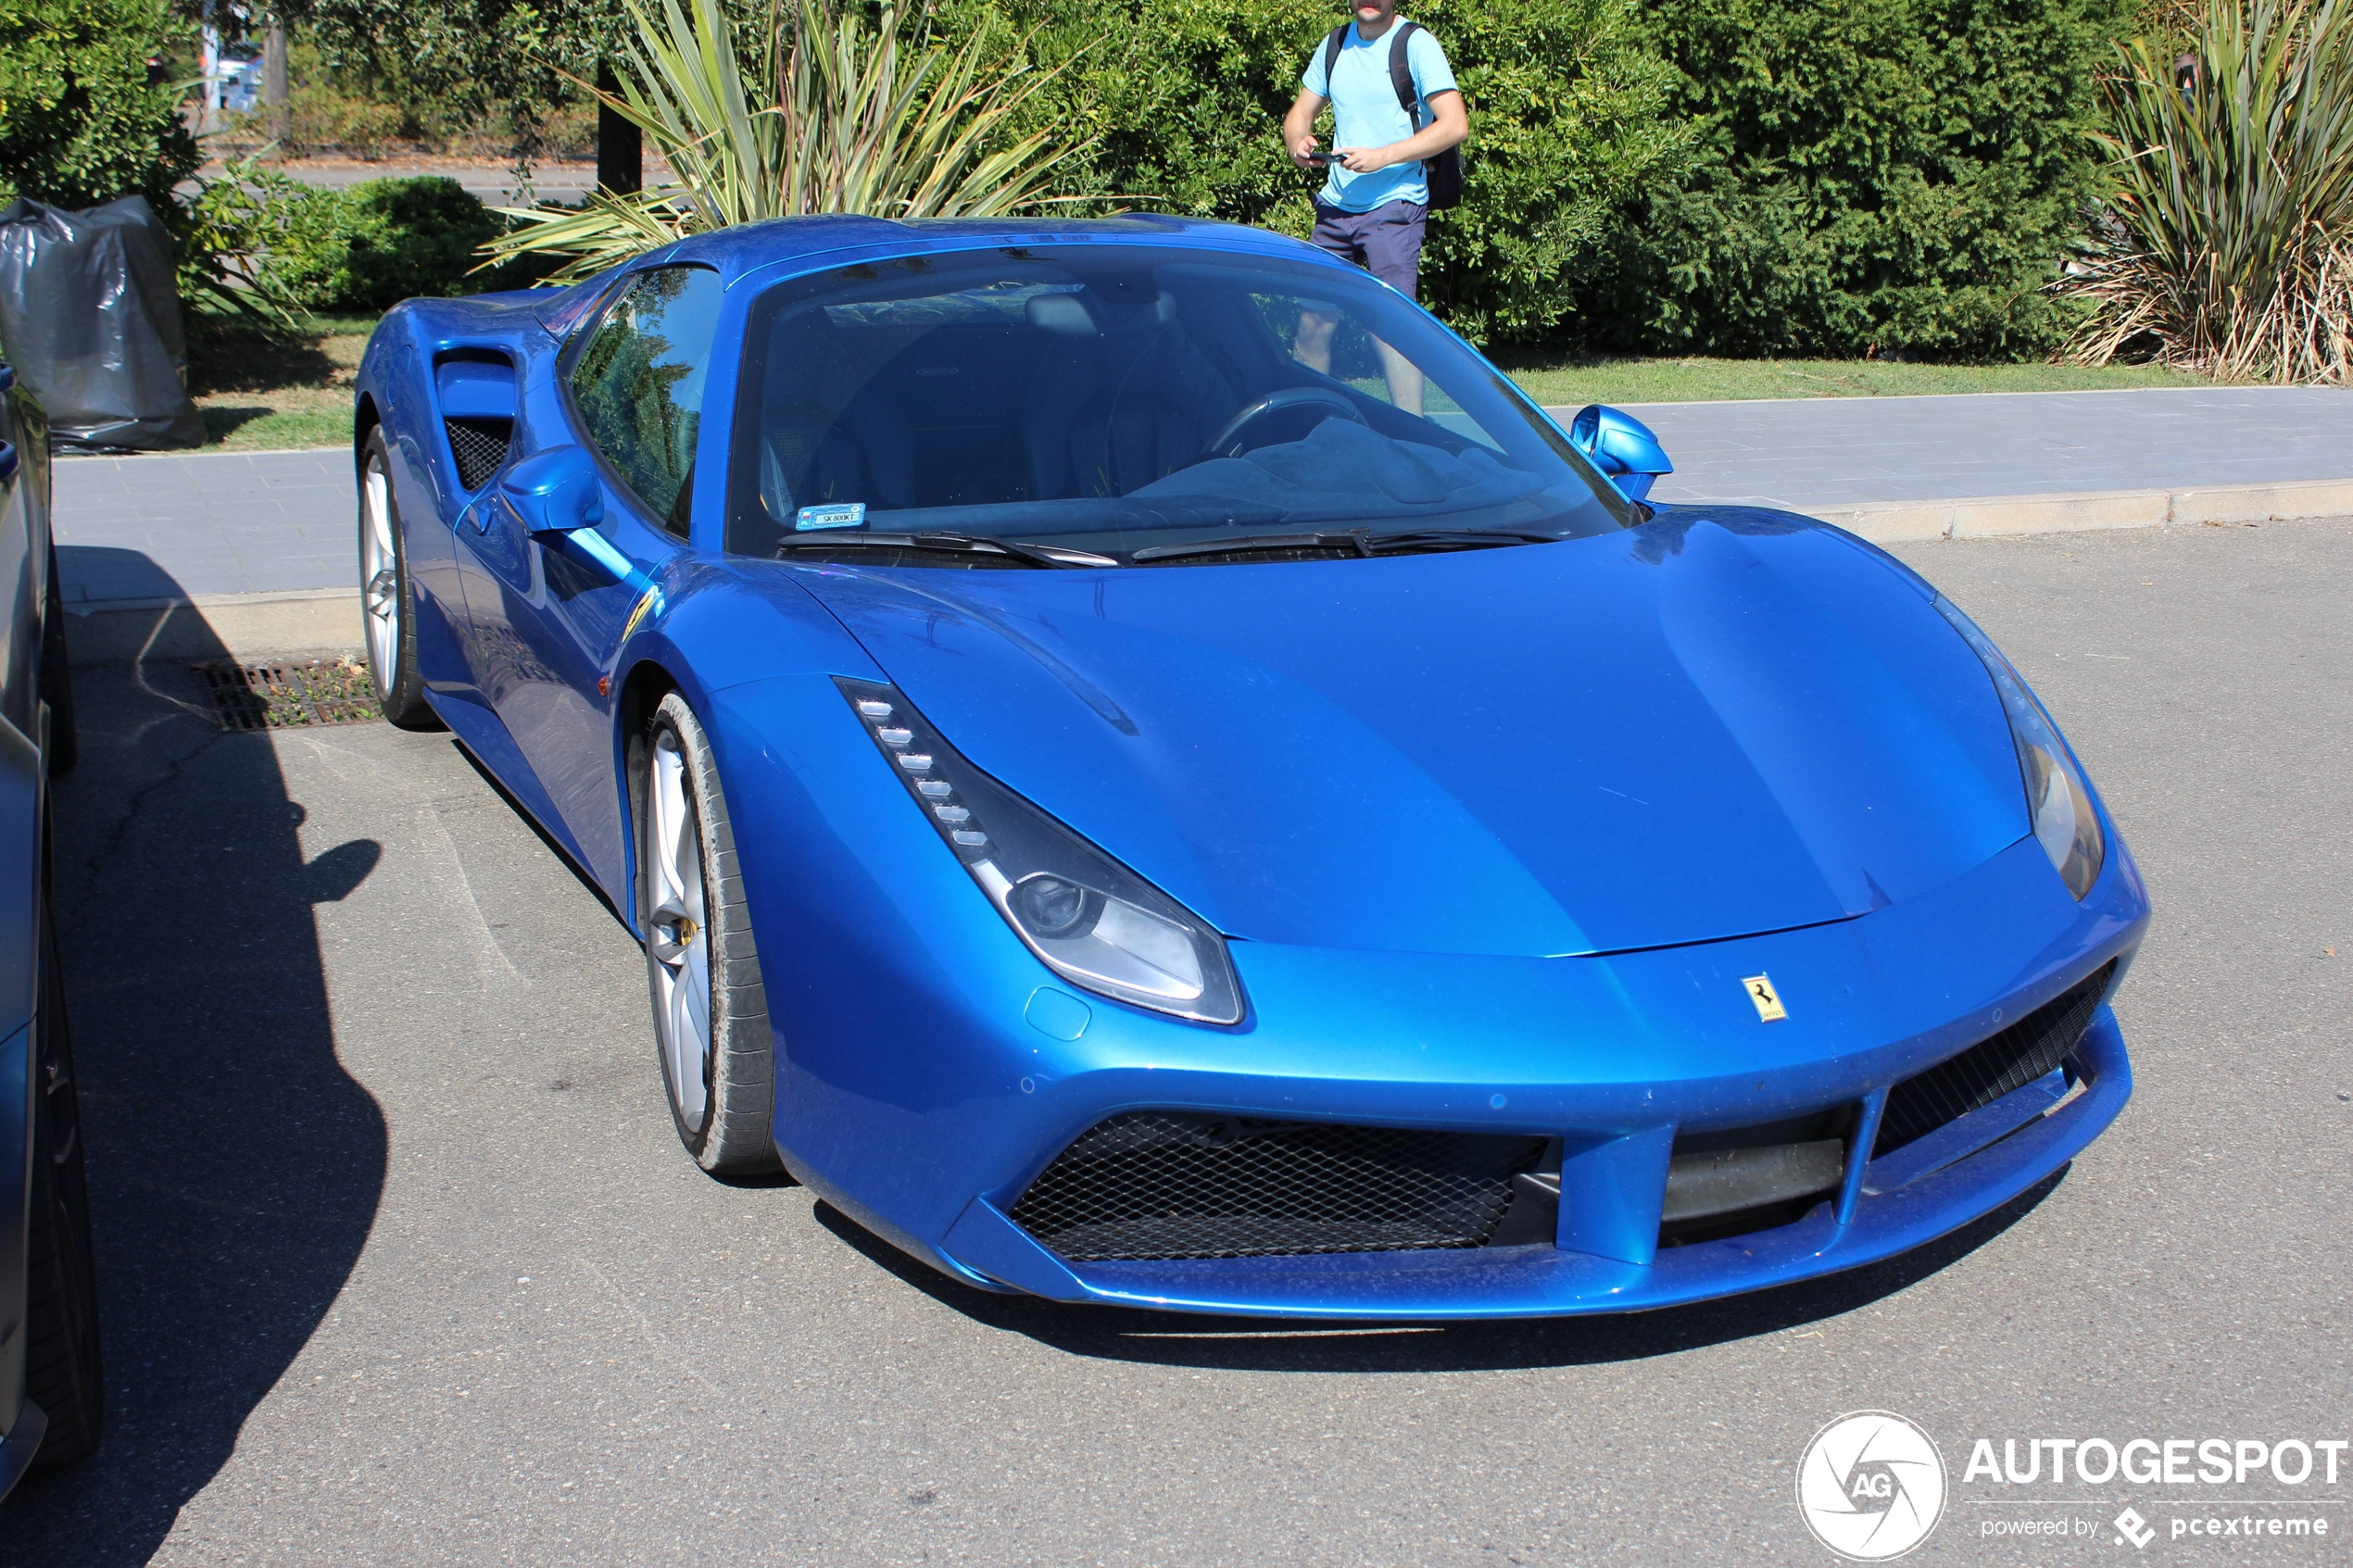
1578,380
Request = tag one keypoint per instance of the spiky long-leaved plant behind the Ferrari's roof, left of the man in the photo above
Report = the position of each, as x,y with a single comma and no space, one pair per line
839,114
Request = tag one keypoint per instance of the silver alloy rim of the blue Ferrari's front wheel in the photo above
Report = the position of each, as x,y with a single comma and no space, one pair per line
676,932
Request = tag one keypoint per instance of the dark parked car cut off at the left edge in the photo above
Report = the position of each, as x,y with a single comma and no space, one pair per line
51,1386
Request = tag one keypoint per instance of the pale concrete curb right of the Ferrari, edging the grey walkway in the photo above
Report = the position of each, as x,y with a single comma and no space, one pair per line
1891,523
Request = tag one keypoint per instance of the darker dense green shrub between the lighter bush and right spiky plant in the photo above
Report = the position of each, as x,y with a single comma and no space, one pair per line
1877,173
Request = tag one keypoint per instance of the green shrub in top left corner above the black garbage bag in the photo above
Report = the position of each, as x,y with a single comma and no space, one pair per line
79,119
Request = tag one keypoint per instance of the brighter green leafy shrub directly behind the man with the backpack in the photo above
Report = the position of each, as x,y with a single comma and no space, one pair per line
1185,100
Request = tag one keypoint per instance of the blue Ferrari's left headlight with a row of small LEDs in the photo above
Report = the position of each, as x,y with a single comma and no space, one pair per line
1086,916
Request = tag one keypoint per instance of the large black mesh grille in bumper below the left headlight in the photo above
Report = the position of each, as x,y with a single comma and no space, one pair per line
1187,1186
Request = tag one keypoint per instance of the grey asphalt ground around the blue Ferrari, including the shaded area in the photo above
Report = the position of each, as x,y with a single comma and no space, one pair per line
404,1266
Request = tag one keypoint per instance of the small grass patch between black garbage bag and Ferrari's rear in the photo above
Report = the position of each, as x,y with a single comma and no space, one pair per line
267,394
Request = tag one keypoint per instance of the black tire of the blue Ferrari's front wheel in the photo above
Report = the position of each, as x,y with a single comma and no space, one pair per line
733,1137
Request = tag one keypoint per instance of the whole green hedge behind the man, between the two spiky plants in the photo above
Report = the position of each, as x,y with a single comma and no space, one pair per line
1728,177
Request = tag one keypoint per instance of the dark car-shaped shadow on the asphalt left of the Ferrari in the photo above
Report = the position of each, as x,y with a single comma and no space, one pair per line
234,1167
